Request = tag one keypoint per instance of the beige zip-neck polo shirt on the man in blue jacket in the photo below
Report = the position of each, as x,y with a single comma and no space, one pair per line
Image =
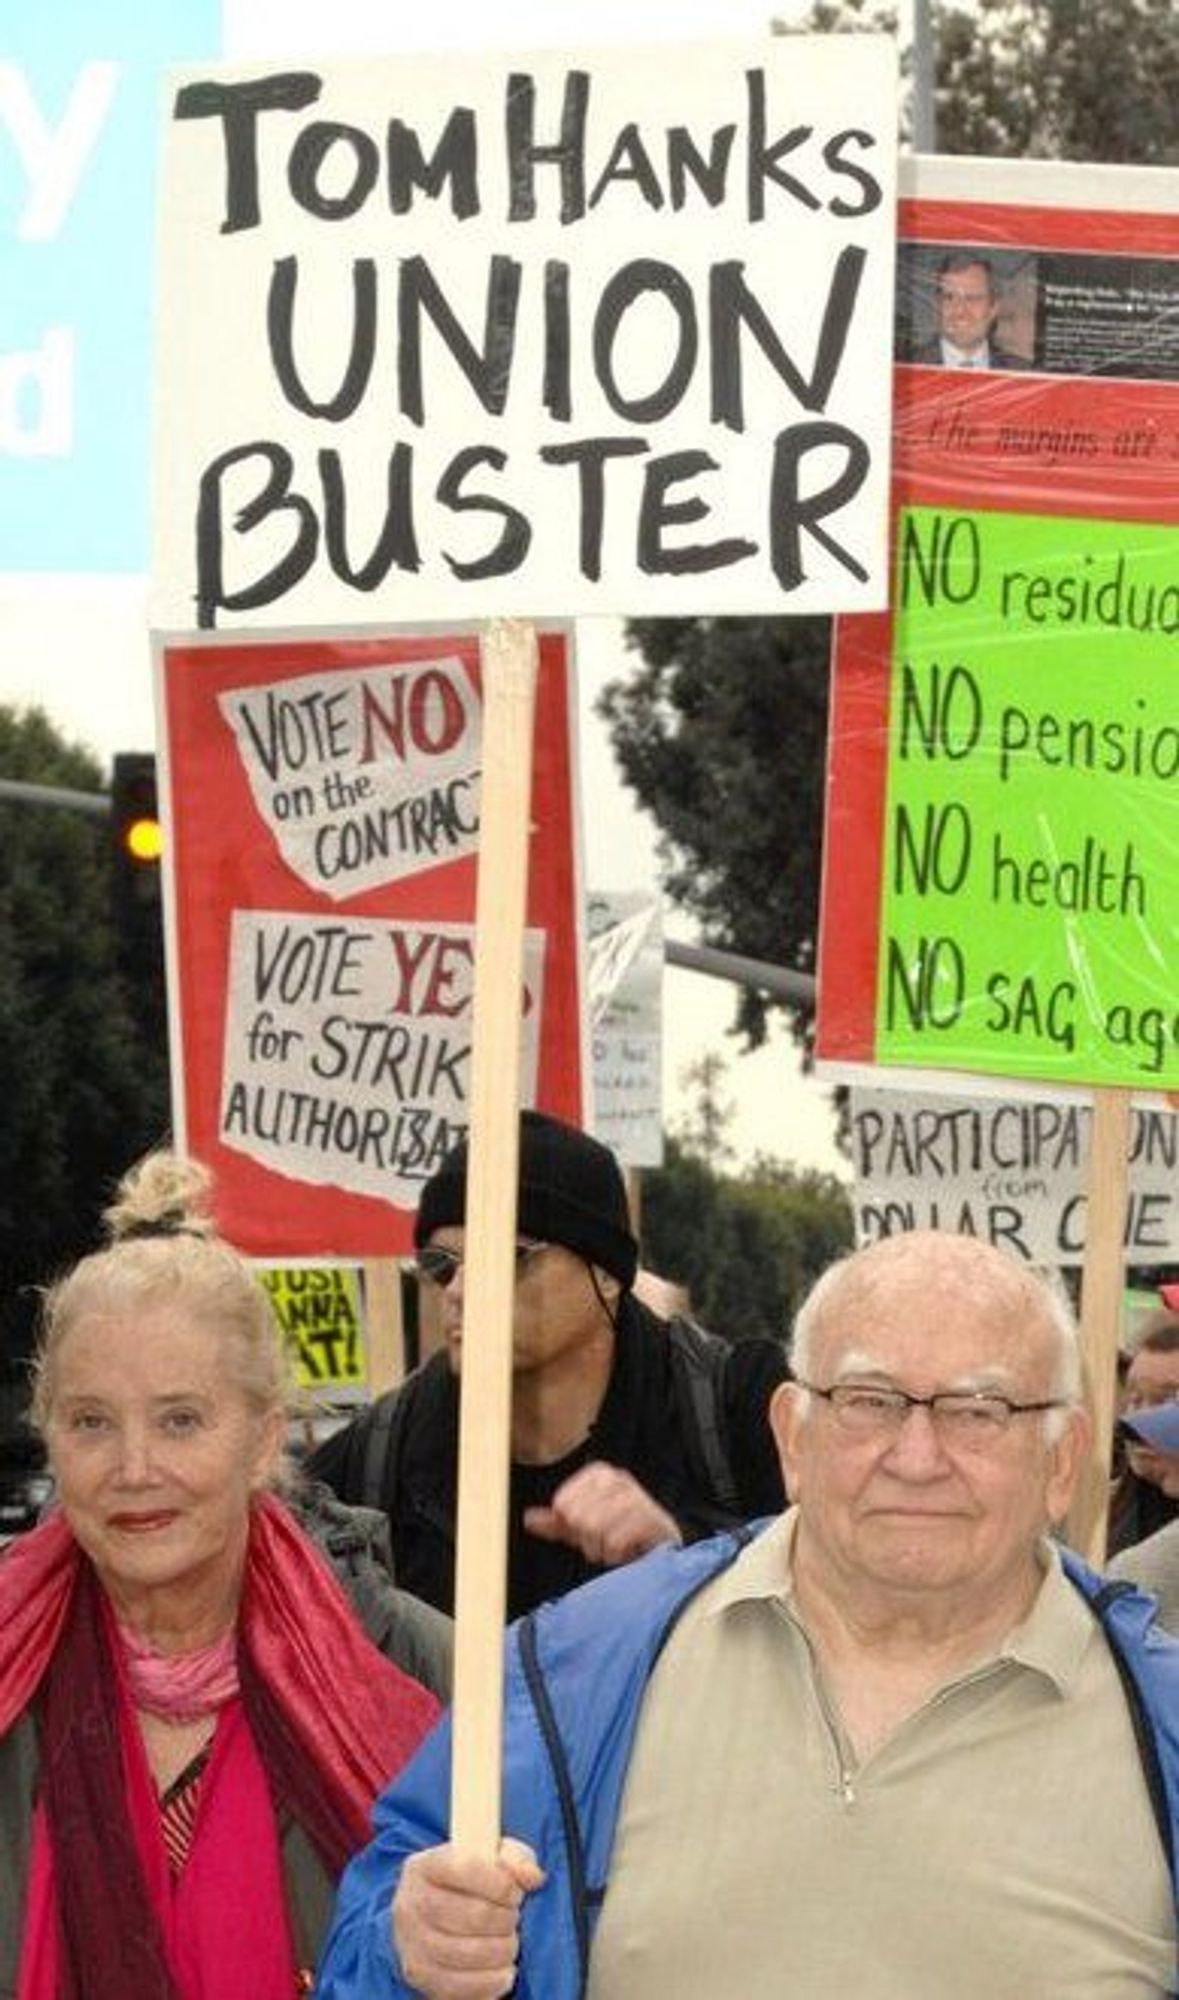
998,1847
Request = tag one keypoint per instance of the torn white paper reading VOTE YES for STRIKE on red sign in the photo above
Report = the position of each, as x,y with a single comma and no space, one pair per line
373,1087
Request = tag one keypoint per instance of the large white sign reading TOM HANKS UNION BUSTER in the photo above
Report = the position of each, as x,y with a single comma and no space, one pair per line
527,335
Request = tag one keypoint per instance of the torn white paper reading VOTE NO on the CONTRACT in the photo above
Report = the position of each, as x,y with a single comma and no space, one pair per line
365,779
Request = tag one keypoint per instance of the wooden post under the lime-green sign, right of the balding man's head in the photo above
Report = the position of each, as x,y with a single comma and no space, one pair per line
1102,1285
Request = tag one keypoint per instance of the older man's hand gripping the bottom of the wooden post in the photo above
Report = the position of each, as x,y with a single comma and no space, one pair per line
457,1921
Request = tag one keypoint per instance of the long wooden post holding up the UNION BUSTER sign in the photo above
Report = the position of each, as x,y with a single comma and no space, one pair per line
509,655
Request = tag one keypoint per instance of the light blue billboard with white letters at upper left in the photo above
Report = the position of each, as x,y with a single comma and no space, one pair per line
81,117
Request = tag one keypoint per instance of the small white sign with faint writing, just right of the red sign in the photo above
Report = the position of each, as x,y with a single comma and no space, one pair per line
626,1007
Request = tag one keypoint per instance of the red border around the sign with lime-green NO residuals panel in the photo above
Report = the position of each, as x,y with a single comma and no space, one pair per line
976,441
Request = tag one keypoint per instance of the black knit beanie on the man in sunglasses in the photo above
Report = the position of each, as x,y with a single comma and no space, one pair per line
571,1193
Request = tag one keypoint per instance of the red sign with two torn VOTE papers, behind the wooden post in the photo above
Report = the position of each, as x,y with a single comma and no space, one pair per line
323,801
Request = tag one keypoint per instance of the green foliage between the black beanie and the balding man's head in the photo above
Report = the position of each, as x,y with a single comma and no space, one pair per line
746,1249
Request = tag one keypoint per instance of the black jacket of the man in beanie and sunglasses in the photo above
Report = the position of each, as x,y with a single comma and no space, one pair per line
403,1451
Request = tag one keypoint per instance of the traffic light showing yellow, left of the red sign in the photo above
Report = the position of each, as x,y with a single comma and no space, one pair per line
137,899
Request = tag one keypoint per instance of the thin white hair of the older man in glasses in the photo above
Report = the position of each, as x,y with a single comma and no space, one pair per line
1034,1293
